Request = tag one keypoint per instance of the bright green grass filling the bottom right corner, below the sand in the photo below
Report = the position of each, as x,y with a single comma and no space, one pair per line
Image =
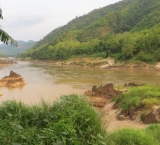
148,136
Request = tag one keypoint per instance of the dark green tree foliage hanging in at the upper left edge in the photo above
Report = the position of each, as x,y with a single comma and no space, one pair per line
4,37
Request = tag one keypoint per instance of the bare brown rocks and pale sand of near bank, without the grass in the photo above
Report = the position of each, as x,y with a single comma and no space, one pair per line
112,117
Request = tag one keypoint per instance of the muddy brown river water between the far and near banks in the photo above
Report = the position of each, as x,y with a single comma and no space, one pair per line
49,81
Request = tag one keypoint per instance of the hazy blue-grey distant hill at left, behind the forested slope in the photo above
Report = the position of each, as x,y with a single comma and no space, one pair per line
13,51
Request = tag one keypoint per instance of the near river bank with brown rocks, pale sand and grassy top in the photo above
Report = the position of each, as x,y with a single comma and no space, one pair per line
132,106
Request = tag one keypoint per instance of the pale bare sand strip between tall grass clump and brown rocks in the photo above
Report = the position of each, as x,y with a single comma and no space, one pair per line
109,116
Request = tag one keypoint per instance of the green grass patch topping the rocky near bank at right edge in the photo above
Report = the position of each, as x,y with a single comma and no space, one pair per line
139,97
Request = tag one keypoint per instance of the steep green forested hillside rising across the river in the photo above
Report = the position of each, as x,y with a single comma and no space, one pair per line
129,29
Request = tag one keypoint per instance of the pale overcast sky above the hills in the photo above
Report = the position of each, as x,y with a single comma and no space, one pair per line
34,19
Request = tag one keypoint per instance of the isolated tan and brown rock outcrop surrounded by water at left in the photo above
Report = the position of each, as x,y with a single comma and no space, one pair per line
14,80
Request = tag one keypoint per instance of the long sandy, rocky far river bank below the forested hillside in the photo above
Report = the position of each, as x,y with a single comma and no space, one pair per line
108,63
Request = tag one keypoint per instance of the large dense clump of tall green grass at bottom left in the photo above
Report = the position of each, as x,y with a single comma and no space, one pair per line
69,121
